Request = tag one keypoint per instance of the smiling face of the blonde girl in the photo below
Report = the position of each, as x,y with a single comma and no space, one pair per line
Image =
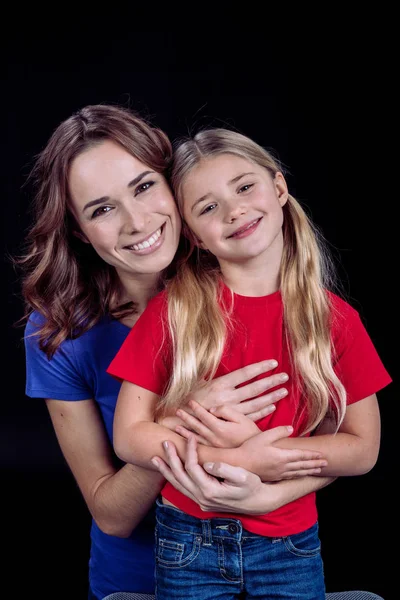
234,208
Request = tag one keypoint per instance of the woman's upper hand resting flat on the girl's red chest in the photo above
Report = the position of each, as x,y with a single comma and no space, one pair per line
223,390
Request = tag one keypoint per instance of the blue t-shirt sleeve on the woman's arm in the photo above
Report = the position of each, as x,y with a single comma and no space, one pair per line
58,378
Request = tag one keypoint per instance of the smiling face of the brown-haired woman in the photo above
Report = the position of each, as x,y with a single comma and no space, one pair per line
124,209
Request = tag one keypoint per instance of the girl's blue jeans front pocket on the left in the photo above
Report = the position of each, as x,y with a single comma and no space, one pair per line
176,548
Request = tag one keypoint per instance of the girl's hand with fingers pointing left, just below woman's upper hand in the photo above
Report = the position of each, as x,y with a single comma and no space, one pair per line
222,427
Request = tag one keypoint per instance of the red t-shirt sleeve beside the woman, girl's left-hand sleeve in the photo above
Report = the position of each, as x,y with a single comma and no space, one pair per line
145,356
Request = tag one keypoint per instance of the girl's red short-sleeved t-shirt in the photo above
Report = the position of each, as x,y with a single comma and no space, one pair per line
145,359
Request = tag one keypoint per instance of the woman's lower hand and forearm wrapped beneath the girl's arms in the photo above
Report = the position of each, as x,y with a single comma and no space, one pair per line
223,488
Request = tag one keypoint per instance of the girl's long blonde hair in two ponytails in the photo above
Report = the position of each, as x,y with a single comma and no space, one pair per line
198,321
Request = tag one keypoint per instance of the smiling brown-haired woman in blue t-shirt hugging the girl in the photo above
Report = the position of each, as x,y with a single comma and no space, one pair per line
105,233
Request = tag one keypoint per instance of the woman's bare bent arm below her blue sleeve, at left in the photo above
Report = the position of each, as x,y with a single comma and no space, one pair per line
118,499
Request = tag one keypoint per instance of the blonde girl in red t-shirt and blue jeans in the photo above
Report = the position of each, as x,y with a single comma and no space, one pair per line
256,287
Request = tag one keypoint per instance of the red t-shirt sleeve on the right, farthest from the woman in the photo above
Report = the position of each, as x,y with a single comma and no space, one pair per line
356,360
